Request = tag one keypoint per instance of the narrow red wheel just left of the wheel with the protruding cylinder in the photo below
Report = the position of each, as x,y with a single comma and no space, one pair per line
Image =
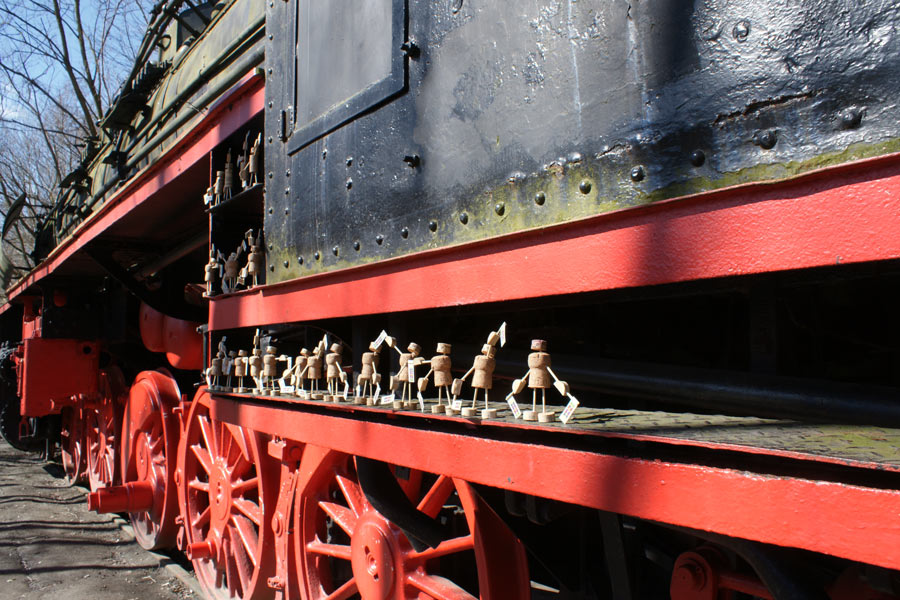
102,419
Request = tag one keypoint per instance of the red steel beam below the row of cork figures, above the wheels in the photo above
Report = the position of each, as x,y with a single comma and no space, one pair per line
849,521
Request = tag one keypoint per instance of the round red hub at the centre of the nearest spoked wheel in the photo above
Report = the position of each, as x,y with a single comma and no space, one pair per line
372,558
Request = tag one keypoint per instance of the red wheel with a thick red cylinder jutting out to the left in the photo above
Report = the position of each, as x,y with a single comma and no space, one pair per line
150,433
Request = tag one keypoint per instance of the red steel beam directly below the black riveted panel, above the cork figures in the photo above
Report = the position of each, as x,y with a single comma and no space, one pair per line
844,214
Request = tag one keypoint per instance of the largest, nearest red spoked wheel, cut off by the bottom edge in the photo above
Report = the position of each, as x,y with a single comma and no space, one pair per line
346,549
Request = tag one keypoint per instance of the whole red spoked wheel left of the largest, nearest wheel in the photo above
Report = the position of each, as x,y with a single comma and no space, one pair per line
228,486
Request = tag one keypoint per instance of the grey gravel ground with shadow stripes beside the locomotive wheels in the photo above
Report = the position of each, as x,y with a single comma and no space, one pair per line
51,546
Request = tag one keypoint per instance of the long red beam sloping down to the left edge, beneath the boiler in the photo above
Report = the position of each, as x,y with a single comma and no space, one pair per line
239,105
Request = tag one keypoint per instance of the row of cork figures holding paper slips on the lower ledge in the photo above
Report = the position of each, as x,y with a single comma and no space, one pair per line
302,377
